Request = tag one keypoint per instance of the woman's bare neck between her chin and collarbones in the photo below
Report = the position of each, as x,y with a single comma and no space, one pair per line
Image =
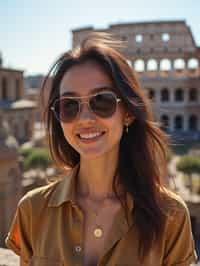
96,177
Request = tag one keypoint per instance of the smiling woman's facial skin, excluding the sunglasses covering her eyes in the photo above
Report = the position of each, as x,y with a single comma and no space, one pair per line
82,80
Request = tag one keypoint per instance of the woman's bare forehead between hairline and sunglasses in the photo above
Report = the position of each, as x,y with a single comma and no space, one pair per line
84,79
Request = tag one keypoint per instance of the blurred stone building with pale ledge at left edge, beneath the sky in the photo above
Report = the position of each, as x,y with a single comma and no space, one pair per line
15,109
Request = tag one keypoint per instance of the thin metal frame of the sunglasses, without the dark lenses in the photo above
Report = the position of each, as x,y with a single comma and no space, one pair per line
78,99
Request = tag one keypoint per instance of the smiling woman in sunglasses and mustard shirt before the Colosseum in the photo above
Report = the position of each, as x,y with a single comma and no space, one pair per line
113,207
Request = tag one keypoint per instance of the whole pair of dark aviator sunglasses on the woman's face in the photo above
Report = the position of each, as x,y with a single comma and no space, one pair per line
102,104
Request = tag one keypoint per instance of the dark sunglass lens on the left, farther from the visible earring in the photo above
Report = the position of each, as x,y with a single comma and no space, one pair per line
66,109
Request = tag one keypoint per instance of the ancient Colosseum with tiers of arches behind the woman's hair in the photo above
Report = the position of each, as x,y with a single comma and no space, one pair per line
167,60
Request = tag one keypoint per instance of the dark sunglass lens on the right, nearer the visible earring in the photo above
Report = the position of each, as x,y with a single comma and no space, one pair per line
103,104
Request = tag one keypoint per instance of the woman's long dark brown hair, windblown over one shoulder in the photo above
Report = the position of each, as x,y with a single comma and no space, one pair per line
143,150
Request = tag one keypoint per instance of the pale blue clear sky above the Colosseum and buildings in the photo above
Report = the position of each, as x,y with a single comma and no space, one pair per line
34,32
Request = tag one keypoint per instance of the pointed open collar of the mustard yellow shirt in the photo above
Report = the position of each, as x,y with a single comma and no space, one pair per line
65,191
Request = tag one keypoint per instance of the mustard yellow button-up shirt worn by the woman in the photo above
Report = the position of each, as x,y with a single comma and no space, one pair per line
47,230
